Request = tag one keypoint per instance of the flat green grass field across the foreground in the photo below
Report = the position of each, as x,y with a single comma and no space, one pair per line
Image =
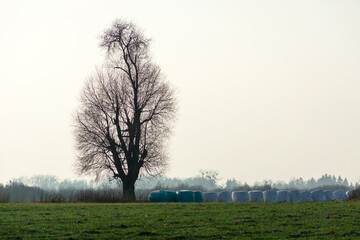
320,220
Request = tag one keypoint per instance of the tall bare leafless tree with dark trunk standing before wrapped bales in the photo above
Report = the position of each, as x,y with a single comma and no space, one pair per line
126,112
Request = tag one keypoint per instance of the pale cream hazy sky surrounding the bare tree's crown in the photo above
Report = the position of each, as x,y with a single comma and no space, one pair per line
266,89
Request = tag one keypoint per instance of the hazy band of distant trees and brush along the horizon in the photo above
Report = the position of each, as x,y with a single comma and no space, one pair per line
51,189
